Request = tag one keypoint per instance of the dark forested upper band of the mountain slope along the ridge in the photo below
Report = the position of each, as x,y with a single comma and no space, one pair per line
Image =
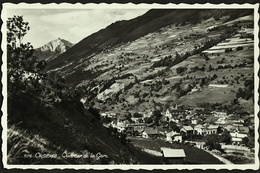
126,31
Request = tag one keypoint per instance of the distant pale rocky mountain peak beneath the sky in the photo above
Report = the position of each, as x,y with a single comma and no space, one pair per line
52,49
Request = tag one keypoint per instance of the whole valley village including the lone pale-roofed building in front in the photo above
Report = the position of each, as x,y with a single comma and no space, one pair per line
195,128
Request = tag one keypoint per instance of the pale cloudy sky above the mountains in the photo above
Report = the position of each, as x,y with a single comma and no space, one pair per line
69,24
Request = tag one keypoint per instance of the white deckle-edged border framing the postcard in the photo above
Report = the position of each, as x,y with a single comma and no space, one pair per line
7,6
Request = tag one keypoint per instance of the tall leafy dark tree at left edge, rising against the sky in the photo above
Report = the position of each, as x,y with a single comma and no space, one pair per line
23,68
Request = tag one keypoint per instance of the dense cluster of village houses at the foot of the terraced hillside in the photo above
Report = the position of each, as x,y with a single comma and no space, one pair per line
189,122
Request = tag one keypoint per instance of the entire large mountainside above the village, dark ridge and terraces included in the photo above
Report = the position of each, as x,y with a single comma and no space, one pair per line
138,65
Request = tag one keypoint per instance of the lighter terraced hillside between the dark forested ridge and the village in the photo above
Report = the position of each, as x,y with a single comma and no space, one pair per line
174,65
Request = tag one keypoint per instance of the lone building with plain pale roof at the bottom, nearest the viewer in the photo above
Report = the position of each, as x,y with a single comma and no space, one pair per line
173,156
